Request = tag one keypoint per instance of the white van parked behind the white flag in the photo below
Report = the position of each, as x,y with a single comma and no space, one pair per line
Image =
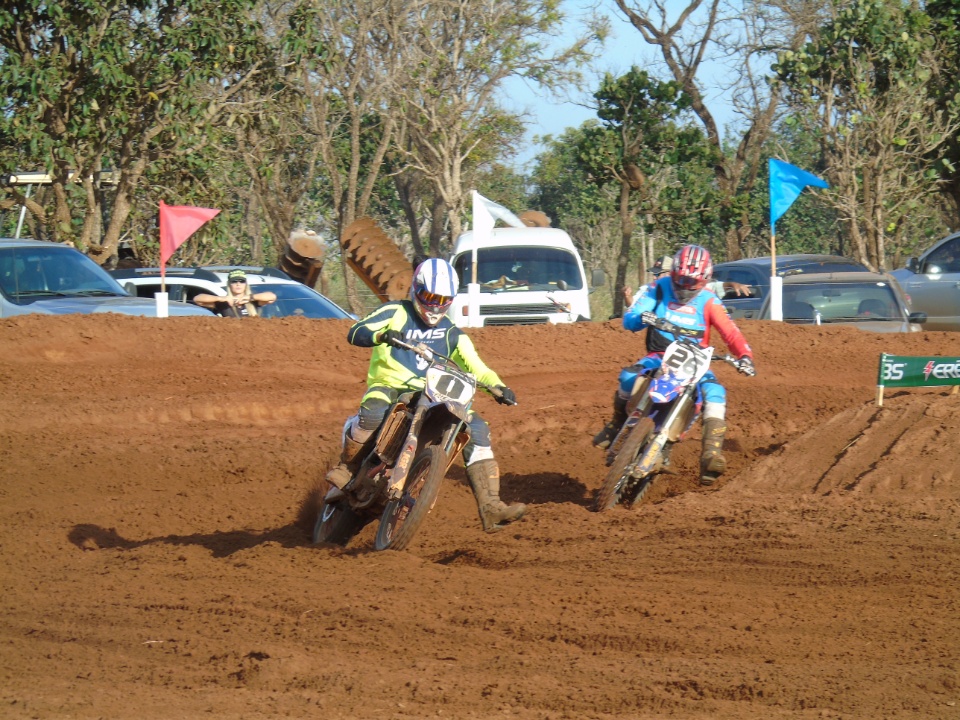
527,276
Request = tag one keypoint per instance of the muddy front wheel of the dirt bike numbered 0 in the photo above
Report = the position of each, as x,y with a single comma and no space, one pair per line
402,518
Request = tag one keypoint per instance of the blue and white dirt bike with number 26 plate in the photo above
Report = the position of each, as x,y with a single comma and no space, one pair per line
660,411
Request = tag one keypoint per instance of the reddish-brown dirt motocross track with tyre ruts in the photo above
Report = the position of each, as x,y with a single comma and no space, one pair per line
154,567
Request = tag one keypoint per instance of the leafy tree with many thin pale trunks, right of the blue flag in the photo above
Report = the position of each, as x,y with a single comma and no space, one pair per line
864,87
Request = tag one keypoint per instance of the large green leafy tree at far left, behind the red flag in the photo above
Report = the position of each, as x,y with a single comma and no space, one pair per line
101,86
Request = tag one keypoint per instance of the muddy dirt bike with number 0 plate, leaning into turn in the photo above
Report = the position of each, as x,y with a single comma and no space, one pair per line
399,479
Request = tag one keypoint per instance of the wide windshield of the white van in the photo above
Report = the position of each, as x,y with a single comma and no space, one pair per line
518,268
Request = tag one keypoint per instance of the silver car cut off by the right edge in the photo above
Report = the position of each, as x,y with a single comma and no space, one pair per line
932,284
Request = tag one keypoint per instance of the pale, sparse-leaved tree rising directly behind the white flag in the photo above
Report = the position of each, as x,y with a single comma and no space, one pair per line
463,52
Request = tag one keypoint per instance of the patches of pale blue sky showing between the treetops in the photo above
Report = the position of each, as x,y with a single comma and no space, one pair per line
625,47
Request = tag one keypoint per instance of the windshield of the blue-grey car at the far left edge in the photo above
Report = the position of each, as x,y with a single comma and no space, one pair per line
31,273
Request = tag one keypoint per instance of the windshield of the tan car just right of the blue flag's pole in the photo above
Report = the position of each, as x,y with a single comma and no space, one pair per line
841,302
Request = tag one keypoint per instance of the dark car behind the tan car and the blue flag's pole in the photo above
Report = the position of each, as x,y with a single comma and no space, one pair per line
755,272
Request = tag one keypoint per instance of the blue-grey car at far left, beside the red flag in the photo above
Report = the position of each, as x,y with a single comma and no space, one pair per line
52,279
